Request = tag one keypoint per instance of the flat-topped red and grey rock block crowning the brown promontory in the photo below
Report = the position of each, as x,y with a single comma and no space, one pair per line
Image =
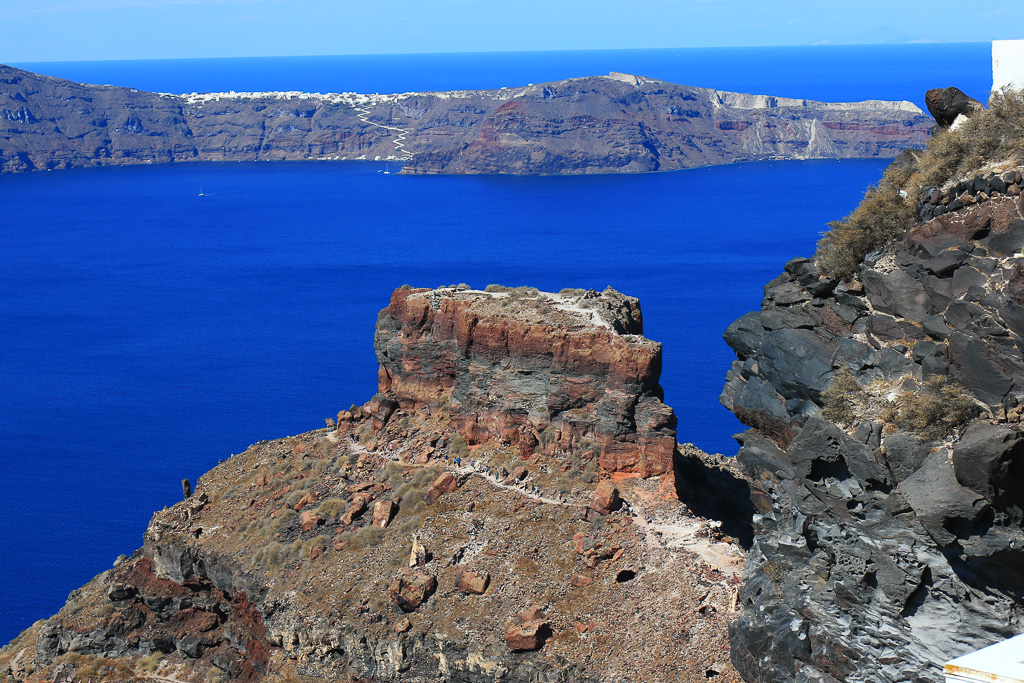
563,373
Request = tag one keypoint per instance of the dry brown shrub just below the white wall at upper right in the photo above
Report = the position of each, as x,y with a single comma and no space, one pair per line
995,135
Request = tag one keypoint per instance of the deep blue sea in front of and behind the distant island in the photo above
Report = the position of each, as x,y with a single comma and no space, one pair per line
146,333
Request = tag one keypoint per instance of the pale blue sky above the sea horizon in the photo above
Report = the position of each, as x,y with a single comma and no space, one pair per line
74,30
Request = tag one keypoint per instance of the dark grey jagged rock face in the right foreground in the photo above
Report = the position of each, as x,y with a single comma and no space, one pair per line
881,554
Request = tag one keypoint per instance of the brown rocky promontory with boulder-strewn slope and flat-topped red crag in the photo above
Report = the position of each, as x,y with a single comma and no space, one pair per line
387,547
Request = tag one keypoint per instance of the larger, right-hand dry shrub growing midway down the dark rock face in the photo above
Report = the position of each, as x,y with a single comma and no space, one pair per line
934,411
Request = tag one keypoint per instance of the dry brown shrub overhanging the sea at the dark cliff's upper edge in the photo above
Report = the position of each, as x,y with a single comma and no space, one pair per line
880,219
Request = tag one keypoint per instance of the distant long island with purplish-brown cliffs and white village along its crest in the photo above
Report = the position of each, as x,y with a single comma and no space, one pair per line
603,124
